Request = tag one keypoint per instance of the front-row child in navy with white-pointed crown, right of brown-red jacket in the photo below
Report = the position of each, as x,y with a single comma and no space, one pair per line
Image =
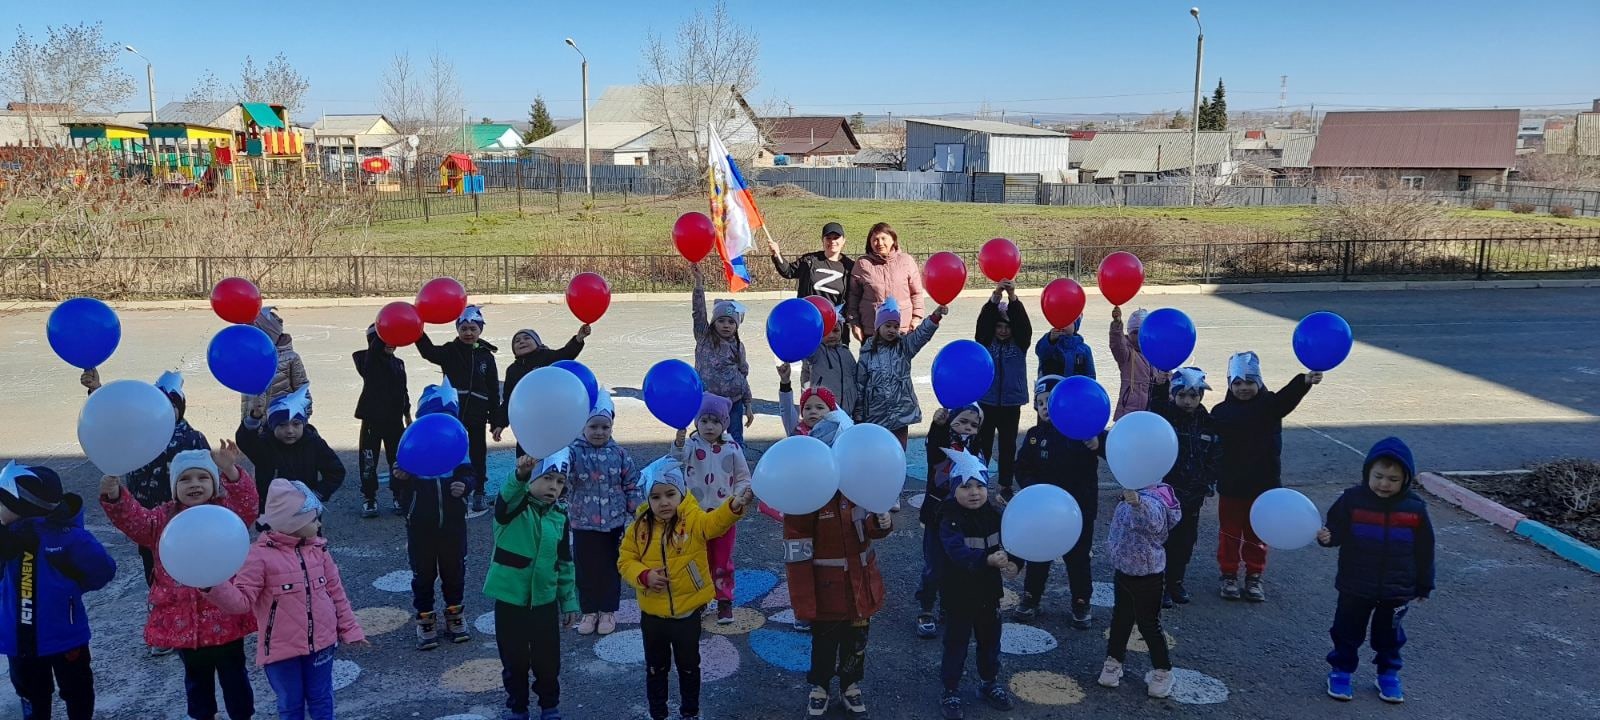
970,540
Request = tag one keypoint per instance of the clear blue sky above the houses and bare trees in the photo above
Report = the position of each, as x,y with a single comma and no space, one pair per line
828,57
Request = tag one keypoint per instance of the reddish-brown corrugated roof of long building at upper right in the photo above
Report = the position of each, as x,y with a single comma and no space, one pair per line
1418,140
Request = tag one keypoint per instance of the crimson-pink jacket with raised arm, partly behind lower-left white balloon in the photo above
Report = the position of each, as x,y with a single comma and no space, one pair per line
180,617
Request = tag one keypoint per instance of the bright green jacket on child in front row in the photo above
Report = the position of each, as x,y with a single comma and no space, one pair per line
532,562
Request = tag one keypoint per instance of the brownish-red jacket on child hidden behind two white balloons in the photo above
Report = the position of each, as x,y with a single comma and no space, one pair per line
831,564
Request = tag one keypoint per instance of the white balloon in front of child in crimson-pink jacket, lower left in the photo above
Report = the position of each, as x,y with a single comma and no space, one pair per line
204,546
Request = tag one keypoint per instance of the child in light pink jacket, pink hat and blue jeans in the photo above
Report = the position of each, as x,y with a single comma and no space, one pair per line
294,586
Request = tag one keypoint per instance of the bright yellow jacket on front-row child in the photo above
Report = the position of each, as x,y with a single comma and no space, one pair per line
689,572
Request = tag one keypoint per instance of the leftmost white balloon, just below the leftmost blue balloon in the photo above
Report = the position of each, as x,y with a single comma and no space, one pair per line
126,425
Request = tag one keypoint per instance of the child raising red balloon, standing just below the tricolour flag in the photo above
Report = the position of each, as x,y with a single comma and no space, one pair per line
721,359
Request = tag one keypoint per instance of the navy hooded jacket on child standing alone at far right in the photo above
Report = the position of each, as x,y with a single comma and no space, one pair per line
1386,545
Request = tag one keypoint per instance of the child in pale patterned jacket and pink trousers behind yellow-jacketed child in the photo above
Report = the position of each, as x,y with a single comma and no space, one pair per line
716,470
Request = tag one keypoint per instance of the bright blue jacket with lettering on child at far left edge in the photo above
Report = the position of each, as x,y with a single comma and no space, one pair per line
42,602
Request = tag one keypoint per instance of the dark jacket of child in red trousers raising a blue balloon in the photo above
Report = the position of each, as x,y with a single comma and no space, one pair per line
1252,436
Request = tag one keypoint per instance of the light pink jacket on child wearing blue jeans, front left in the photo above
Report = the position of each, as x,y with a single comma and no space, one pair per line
295,591
